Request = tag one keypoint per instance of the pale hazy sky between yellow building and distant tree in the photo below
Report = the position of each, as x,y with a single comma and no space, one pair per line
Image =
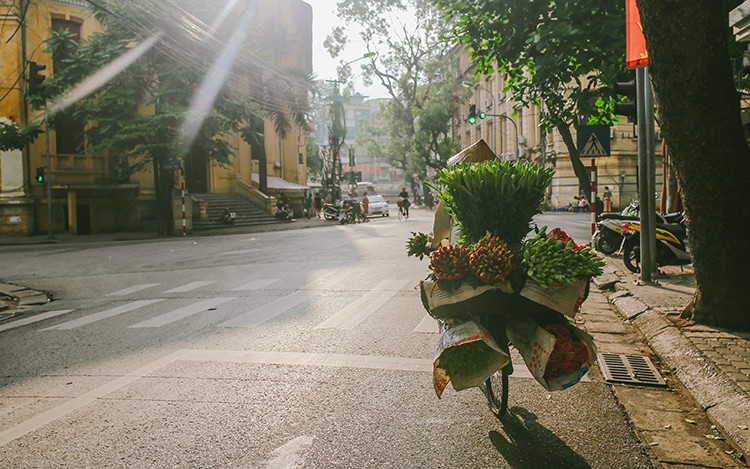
324,19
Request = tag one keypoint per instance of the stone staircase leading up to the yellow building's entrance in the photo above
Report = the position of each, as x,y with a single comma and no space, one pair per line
248,214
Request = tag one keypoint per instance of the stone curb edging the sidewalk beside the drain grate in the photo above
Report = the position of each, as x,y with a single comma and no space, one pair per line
726,405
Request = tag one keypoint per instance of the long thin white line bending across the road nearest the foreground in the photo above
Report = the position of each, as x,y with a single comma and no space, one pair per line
228,356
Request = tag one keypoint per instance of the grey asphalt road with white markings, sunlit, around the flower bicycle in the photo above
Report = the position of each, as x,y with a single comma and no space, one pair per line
306,348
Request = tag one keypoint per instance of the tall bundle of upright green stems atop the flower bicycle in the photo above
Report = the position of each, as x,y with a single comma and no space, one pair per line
499,197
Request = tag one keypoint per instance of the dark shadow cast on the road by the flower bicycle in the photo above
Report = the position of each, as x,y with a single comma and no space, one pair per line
527,444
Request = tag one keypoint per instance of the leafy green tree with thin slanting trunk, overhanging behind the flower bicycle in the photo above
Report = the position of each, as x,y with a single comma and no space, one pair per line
554,54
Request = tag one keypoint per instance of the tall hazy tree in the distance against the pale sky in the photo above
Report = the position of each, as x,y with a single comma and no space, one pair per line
416,69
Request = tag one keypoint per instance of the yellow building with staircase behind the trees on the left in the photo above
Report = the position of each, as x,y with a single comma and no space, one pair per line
88,192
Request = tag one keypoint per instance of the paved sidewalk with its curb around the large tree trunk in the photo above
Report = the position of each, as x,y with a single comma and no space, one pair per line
712,363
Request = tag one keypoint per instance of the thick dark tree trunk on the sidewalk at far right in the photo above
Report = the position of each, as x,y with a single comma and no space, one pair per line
700,117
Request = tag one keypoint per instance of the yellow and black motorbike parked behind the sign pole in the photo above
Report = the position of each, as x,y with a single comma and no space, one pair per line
672,246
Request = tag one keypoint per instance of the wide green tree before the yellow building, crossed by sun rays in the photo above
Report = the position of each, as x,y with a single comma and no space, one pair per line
139,115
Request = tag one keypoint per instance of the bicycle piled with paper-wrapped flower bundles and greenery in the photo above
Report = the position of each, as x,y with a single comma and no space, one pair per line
490,286
